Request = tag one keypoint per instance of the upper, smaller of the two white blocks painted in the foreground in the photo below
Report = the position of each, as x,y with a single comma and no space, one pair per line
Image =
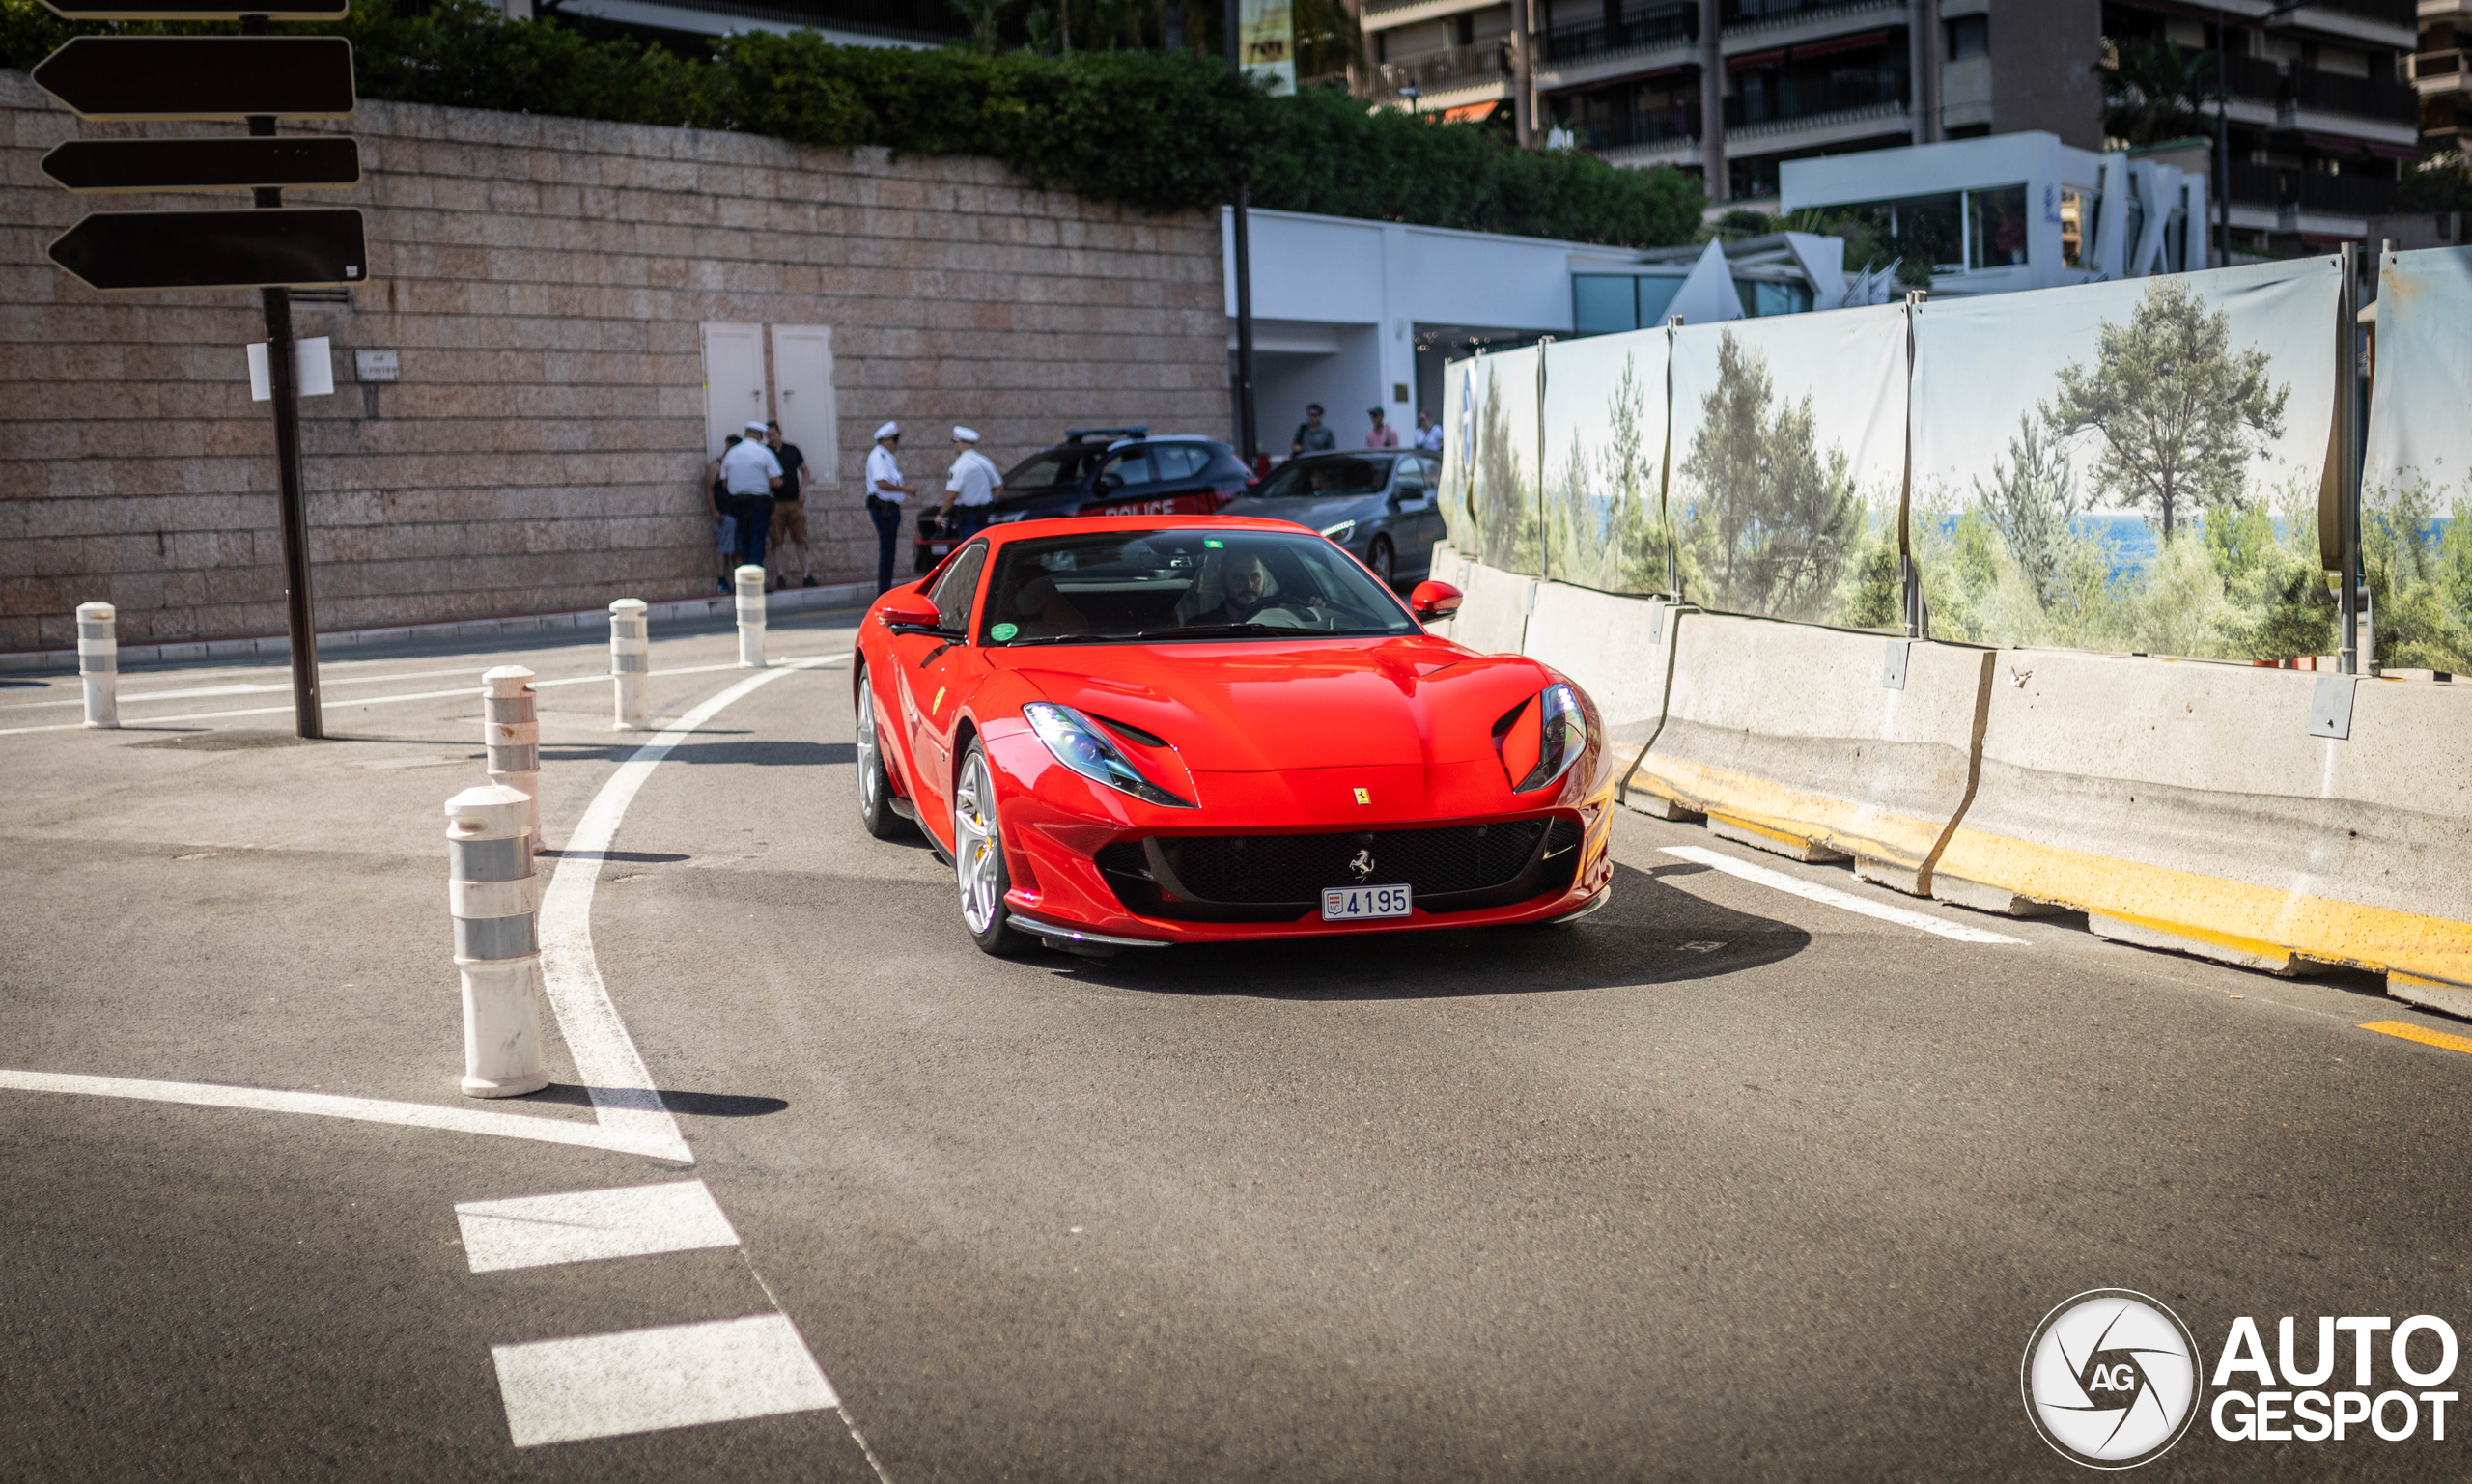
592,1226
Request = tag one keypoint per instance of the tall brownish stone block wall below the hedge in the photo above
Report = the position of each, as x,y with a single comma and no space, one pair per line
545,283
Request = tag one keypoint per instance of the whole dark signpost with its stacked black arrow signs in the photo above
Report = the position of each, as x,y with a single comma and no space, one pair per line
273,251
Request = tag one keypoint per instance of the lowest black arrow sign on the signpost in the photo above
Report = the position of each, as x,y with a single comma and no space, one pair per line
216,249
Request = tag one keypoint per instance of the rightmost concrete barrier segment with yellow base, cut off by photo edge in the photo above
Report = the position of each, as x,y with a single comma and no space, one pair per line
2263,817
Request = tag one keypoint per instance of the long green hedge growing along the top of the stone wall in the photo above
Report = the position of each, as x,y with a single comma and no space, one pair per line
1151,130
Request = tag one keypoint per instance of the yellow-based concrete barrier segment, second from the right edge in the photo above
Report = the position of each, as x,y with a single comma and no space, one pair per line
1818,743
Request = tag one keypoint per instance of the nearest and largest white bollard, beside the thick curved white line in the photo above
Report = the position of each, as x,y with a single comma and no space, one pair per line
498,944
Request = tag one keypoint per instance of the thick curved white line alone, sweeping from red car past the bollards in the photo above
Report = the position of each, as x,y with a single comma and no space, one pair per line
595,1035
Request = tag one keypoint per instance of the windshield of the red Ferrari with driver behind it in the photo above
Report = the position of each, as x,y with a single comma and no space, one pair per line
1175,585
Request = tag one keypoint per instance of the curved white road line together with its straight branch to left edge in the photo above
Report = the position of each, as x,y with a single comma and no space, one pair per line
629,1112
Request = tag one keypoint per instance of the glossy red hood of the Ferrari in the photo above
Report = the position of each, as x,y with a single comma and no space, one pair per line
1240,706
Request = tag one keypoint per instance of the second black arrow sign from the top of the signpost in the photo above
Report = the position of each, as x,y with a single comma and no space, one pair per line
201,78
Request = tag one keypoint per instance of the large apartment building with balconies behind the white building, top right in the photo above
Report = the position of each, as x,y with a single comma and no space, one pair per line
1732,90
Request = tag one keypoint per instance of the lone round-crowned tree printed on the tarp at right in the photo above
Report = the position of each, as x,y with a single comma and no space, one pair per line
2177,409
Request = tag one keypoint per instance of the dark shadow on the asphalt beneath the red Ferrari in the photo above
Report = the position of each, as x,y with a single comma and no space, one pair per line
1650,934
